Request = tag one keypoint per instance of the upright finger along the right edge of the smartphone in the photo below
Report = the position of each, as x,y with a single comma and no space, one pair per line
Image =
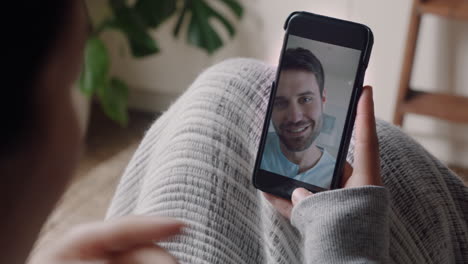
366,159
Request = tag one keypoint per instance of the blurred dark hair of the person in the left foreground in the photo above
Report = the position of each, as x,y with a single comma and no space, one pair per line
31,30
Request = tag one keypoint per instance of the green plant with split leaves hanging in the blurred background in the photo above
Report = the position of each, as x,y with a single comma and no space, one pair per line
136,20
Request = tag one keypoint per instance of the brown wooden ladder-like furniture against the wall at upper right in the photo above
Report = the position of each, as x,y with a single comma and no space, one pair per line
440,105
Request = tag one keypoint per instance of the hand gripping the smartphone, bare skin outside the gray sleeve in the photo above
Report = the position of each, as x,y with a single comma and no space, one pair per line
366,158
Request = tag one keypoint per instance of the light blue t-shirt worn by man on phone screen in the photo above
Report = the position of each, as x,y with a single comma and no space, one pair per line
274,160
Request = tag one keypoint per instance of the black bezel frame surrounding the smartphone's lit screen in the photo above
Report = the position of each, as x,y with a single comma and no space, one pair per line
329,30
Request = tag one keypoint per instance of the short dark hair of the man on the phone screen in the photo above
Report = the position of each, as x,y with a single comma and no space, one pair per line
303,59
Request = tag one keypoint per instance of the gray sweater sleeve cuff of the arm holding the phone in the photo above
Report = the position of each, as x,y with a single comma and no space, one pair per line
347,225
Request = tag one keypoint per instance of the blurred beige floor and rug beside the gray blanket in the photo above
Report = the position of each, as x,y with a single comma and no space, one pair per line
109,149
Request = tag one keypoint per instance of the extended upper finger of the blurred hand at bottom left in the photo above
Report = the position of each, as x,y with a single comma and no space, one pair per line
104,238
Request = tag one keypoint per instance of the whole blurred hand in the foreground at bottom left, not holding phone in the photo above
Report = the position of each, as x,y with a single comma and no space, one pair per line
128,239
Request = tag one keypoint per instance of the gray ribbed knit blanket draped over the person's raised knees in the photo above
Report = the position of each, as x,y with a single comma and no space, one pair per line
196,163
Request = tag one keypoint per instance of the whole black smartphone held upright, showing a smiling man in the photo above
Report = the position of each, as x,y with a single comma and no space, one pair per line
312,106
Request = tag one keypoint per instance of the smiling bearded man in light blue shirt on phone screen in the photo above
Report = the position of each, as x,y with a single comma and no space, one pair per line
297,118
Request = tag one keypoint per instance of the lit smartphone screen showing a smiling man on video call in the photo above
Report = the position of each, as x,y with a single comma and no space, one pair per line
309,110
